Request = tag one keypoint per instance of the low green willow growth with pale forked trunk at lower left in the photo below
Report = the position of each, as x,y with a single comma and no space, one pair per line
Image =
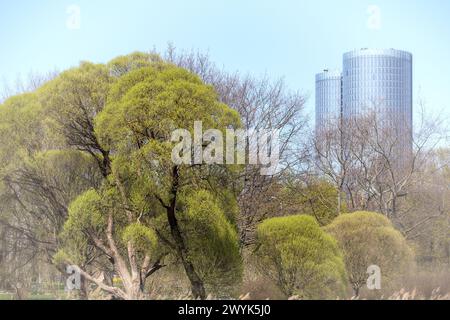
92,222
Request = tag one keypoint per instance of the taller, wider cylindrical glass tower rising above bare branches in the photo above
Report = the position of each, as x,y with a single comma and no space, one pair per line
379,82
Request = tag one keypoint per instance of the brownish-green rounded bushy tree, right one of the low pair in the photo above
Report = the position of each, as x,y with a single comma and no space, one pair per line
368,238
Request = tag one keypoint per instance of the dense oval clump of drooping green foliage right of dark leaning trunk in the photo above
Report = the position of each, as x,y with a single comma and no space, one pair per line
213,245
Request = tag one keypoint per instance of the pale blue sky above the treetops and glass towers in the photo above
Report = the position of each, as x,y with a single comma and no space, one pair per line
293,39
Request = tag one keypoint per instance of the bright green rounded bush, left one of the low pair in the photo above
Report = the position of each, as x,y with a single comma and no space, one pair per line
300,257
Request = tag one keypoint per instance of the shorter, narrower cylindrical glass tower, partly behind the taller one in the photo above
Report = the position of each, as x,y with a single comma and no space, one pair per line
328,99
